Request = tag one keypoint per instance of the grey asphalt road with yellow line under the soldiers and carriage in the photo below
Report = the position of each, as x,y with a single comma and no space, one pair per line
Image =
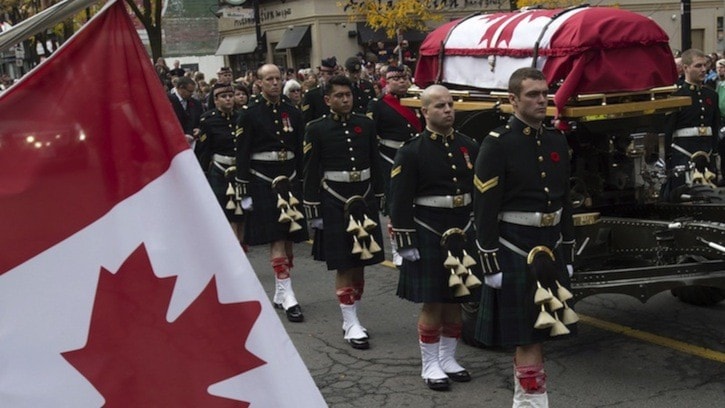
627,354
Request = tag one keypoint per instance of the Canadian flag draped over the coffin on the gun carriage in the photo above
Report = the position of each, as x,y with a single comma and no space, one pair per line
581,50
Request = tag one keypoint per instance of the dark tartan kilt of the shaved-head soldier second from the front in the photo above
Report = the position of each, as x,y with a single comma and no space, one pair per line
426,280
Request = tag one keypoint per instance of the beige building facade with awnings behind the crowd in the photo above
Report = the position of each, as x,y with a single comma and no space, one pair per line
300,33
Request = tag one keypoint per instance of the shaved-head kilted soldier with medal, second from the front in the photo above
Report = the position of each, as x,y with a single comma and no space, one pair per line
431,209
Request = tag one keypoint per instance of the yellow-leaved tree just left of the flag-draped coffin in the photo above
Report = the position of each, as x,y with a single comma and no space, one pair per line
393,16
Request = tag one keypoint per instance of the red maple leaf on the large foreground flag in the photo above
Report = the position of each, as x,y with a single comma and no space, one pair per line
135,358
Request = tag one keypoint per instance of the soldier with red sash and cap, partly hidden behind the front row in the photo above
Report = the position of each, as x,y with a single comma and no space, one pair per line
394,122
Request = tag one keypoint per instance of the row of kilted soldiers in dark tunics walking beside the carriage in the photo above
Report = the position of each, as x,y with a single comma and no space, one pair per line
273,172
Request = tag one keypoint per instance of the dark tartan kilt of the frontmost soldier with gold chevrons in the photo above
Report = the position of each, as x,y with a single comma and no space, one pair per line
507,315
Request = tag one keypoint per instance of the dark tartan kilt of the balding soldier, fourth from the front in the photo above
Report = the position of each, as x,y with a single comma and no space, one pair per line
261,225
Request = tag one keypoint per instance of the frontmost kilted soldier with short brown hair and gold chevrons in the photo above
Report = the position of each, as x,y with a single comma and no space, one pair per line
525,232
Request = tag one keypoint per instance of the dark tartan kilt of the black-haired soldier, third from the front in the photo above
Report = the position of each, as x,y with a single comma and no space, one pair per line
333,244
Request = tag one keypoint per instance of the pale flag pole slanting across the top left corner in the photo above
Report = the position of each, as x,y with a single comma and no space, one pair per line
41,21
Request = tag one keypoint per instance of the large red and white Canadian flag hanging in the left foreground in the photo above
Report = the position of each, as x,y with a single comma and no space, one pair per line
121,283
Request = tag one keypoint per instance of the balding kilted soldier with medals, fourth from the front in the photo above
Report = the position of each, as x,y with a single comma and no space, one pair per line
269,168
